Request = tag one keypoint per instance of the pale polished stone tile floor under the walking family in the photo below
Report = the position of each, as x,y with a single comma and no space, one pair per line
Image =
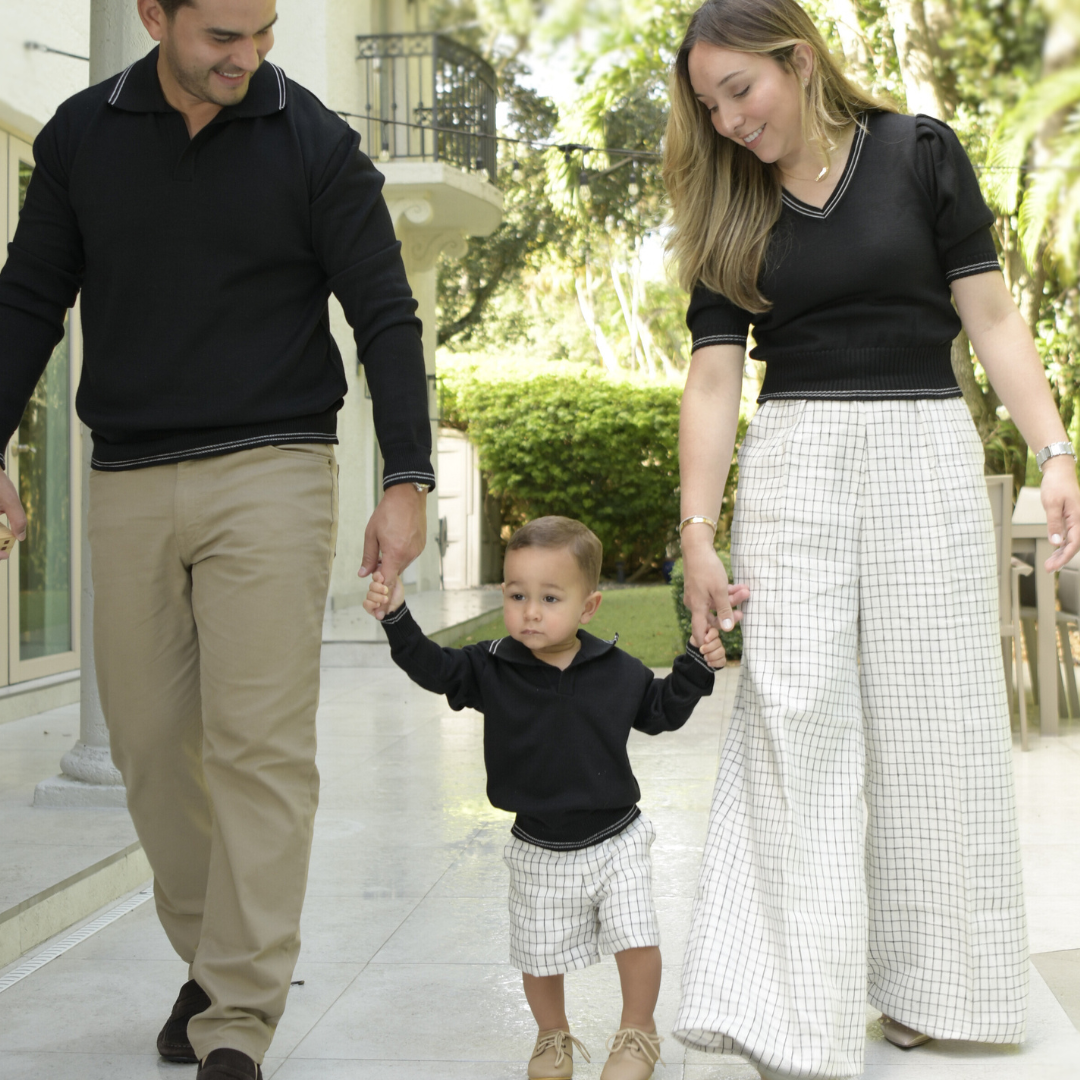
404,973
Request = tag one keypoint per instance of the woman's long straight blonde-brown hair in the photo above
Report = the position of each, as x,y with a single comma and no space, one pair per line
725,200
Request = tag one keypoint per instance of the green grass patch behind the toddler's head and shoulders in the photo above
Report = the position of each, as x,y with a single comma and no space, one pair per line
643,617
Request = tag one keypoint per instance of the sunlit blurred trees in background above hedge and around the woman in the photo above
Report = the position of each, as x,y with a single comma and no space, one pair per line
545,286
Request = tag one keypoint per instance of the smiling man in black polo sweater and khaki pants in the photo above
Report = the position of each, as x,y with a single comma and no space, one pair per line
207,207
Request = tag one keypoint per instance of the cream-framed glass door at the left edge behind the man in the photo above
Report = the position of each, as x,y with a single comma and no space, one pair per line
44,572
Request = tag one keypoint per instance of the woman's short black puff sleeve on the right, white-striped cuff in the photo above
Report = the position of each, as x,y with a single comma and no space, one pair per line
962,219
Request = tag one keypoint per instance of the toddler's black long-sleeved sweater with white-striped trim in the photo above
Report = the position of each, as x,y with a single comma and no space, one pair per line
556,741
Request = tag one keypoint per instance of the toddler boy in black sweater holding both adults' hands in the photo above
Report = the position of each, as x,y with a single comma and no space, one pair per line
559,705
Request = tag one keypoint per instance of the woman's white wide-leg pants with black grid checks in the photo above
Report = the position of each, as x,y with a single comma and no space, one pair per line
863,842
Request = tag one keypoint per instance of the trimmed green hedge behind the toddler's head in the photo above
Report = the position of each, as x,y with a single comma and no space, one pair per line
600,450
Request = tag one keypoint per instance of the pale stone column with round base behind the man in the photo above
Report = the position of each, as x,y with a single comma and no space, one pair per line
90,779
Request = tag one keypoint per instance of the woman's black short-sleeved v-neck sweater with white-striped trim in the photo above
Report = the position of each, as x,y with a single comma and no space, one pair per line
860,288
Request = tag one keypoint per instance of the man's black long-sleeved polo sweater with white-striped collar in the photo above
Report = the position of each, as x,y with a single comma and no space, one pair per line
206,266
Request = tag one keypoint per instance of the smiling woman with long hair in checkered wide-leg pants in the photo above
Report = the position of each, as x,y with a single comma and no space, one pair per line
872,691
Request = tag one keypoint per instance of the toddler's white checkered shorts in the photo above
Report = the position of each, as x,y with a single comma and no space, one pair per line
566,908
